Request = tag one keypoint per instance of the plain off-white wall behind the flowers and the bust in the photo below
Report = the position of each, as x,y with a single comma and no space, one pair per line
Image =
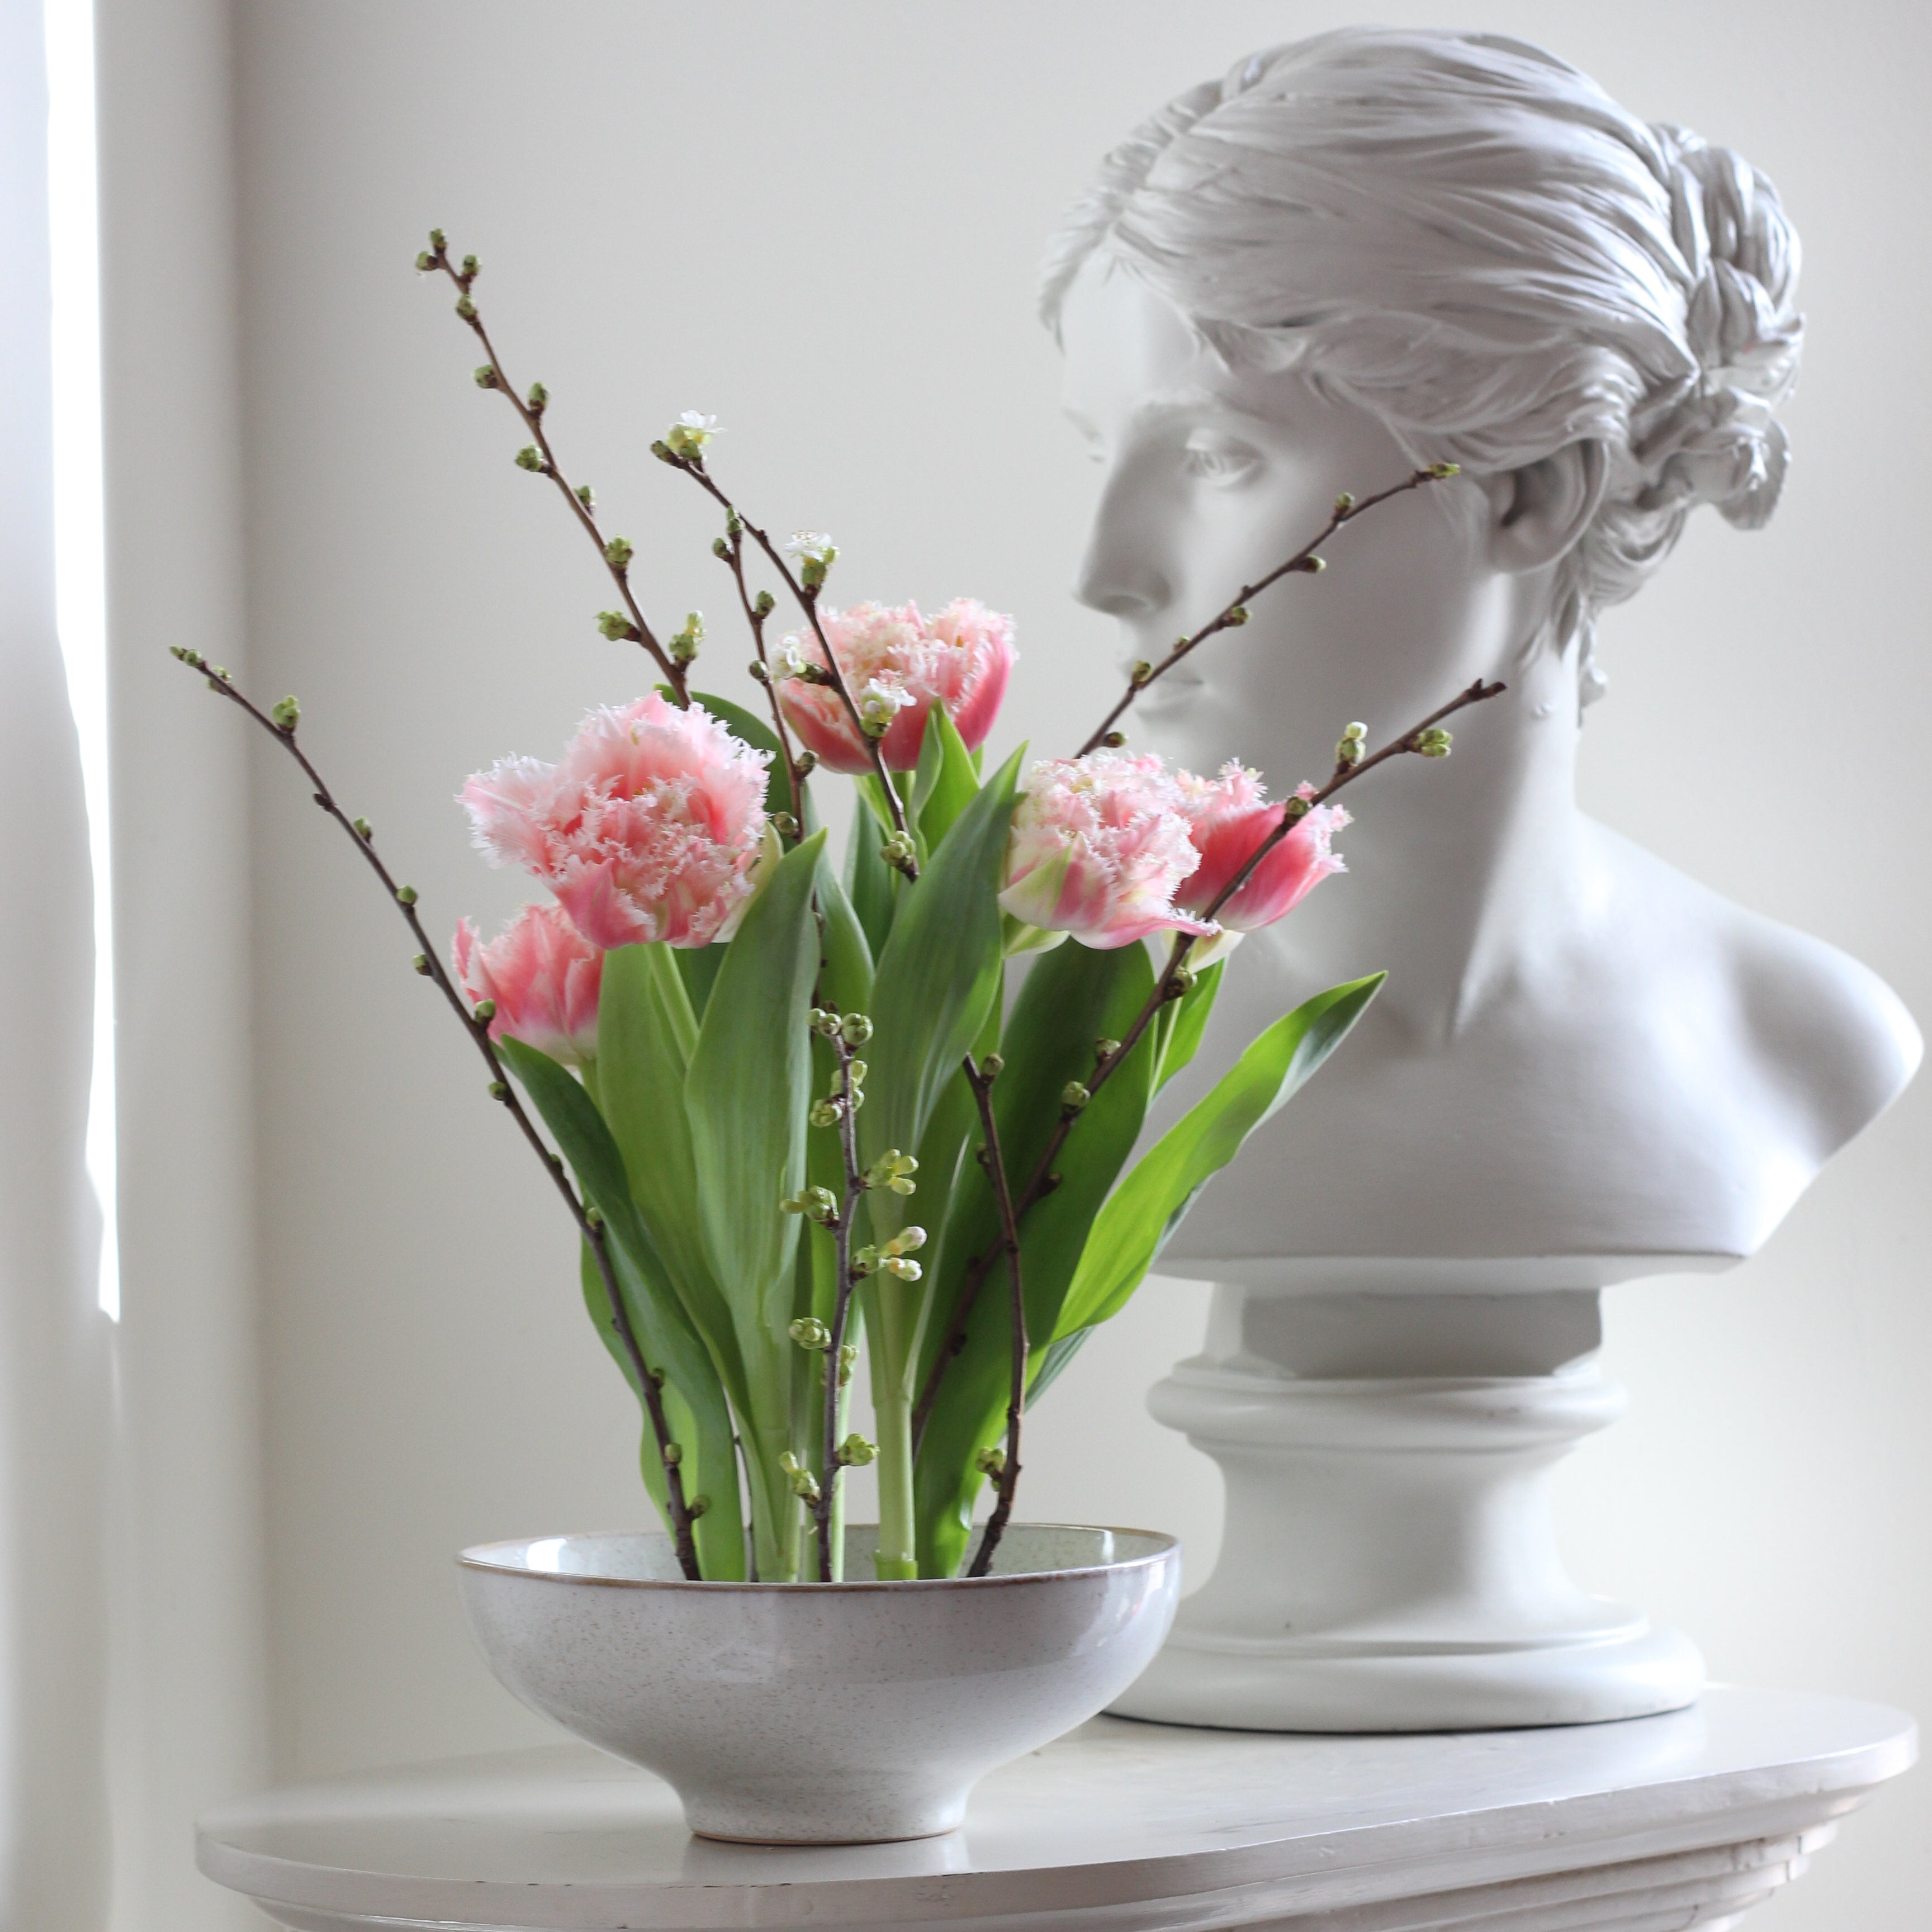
822,223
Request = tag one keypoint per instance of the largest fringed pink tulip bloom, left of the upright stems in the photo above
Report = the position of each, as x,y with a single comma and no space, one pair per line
650,828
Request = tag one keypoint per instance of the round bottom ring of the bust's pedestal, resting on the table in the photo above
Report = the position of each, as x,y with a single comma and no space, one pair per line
1278,1688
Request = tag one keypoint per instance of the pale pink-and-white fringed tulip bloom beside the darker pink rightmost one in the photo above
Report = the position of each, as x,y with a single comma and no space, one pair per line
1098,847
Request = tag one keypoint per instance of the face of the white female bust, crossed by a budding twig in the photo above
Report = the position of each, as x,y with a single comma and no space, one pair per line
1212,478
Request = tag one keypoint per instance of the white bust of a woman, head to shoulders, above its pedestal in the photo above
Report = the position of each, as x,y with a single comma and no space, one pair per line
1355,256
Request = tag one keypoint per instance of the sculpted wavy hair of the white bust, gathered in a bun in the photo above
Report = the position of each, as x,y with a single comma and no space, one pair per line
1477,244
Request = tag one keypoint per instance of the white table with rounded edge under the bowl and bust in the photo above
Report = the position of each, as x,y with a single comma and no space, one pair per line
1643,1827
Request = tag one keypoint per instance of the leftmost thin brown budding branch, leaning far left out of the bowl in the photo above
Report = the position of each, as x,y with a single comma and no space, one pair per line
590,1226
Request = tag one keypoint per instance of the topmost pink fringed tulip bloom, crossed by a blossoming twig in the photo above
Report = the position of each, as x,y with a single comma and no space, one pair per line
899,666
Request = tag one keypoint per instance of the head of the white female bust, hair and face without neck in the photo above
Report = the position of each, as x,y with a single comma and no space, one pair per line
1384,248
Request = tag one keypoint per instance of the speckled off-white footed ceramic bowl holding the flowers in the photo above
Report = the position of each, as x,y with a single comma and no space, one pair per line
822,1715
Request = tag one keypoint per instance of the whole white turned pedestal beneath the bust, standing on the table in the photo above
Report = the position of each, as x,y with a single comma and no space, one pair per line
1390,1560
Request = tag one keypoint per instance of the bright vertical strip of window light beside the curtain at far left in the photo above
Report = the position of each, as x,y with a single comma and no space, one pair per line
80,554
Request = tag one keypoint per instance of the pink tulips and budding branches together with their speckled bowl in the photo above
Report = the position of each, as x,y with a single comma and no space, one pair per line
801,1125
